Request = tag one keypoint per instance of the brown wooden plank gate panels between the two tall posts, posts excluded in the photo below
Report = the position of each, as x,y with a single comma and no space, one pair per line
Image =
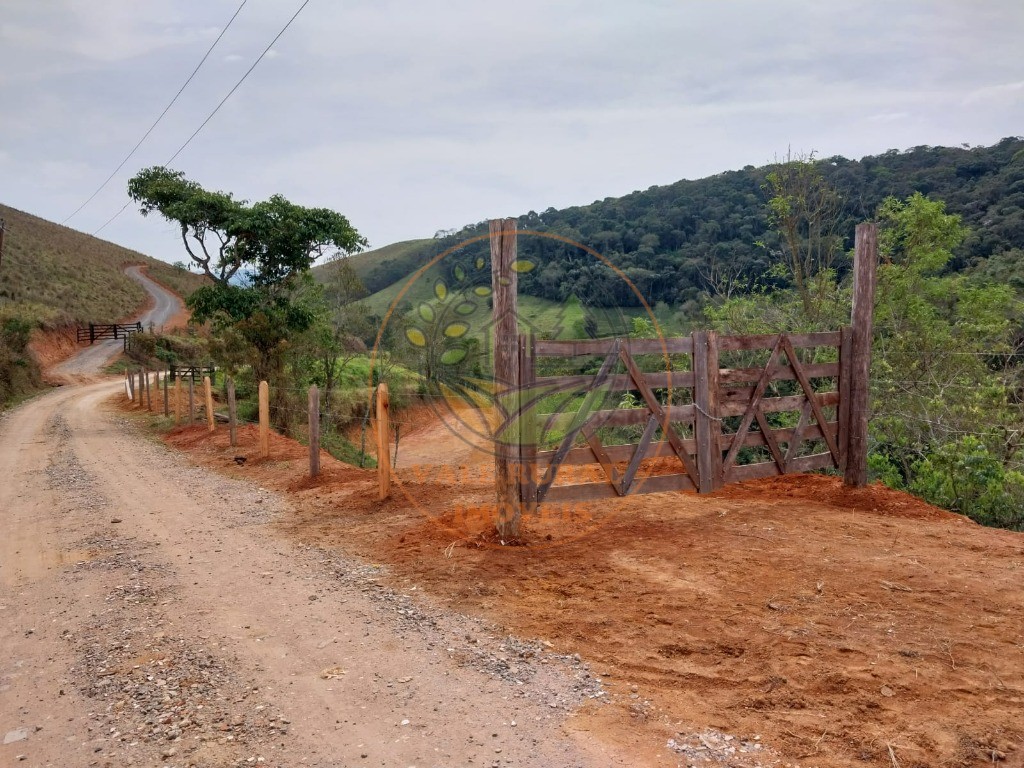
703,416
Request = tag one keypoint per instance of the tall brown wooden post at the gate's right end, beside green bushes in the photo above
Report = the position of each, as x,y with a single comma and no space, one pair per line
865,275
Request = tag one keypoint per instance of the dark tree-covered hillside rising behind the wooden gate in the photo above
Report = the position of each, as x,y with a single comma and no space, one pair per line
677,241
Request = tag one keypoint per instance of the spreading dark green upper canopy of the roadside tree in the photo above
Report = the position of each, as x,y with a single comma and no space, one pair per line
270,242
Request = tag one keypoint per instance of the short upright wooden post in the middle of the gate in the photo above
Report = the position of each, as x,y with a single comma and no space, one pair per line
708,424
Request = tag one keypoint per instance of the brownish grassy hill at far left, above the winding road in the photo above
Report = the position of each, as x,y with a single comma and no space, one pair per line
57,275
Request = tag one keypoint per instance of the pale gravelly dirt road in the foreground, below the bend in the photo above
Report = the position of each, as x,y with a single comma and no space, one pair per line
150,616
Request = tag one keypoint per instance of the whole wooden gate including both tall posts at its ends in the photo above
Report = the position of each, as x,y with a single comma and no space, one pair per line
703,425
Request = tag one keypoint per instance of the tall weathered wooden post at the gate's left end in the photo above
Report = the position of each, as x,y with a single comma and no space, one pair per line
504,286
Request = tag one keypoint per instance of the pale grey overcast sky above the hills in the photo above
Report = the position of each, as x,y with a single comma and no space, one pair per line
412,117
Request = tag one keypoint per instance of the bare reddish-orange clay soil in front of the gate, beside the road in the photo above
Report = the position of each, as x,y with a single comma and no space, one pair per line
843,628
